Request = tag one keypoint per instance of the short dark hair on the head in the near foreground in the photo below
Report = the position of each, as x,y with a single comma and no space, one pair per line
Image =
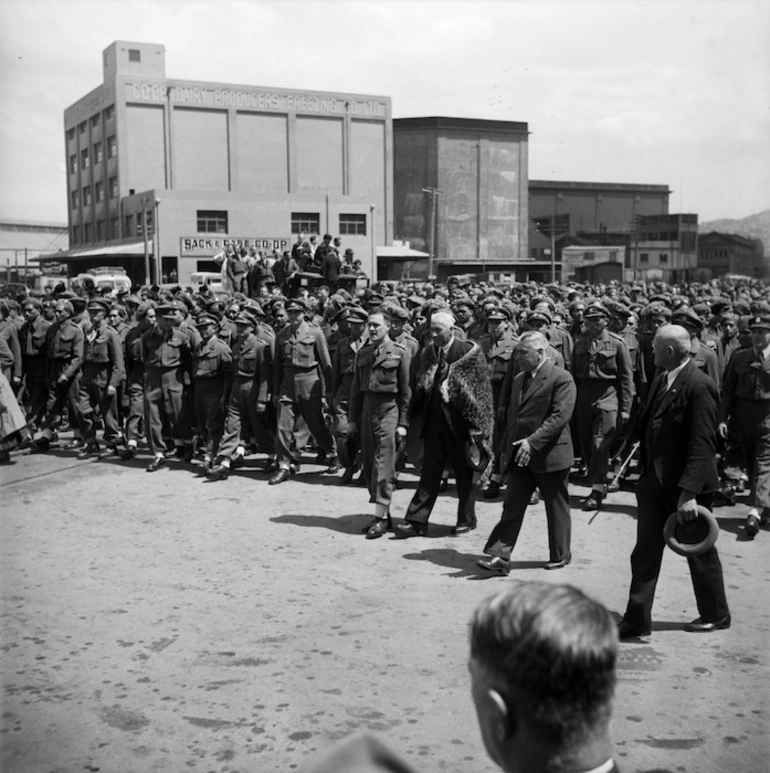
550,651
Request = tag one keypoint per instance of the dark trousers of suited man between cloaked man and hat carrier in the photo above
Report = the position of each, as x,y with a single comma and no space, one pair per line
522,482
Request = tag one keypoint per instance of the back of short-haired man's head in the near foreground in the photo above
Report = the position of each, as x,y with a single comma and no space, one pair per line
542,663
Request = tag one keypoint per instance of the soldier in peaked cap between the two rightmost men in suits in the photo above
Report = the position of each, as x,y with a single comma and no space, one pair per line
602,370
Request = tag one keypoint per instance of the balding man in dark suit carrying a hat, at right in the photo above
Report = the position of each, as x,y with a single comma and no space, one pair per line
678,429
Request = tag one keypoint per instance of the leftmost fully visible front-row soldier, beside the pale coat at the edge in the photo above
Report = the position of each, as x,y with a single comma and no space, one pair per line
64,353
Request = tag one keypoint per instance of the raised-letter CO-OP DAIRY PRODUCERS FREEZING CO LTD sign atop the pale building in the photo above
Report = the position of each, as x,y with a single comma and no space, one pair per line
254,99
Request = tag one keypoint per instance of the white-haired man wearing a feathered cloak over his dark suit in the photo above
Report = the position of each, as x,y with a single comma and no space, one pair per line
452,392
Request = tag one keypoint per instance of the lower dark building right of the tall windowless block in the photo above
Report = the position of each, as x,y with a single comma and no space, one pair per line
593,214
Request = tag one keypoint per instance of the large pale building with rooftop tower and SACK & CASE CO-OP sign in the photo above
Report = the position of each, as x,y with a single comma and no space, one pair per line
196,166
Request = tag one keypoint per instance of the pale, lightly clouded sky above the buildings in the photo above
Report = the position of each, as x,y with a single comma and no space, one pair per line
673,92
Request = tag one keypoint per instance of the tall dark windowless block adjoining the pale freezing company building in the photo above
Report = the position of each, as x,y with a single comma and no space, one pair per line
460,194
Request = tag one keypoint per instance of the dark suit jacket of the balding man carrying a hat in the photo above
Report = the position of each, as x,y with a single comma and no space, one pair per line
678,431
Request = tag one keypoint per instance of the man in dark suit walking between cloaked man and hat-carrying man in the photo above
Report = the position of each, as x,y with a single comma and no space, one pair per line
537,452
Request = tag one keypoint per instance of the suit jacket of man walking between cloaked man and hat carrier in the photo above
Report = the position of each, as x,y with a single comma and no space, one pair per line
542,416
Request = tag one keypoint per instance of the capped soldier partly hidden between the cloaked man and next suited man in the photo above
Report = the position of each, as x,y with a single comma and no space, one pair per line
498,346
